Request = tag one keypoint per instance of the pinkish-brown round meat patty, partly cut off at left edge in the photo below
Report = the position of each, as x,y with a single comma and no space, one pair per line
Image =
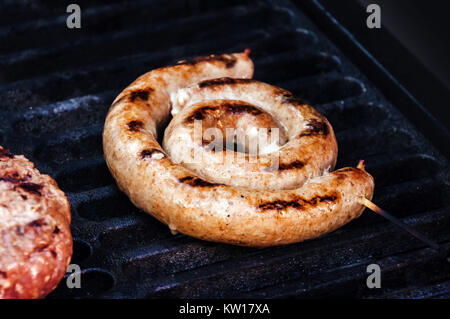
35,238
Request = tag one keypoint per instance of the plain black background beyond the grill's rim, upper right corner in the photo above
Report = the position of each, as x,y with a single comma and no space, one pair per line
413,45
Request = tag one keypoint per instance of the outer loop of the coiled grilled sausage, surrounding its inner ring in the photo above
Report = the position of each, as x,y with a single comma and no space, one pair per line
212,210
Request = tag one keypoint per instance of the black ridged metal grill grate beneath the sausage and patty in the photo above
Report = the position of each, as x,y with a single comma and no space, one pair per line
57,85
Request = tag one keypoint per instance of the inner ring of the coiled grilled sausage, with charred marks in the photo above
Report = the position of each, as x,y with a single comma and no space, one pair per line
311,149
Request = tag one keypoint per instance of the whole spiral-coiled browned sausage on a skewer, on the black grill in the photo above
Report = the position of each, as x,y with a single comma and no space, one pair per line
298,201
